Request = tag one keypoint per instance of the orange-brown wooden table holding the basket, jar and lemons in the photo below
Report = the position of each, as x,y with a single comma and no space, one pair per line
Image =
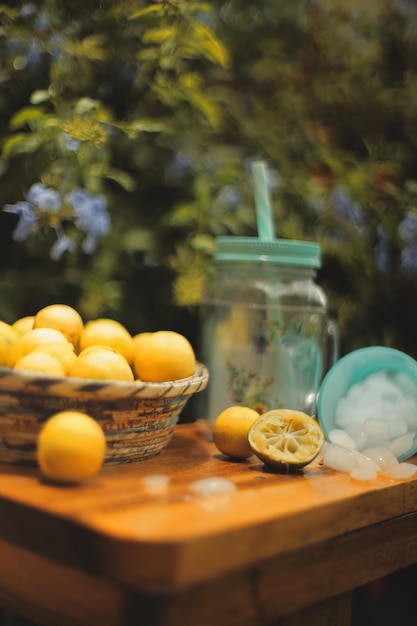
280,549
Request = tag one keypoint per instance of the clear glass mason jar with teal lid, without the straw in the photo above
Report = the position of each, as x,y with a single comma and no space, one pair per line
265,333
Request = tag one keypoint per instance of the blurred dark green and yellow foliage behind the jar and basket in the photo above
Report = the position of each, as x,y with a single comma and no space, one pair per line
160,106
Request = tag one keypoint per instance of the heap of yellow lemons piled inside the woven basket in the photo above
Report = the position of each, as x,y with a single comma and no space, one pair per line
56,342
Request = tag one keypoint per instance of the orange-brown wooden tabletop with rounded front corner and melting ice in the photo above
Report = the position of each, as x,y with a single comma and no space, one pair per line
175,538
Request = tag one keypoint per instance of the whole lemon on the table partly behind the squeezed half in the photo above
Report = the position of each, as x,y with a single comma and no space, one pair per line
230,431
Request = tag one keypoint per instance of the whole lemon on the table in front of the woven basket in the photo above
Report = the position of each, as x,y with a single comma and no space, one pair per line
71,447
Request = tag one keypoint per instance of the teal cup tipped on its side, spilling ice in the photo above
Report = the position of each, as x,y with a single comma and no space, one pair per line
353,368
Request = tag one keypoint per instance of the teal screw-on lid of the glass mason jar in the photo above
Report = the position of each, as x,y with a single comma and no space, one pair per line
278,251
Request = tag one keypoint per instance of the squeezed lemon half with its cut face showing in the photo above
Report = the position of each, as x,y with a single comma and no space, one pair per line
285,438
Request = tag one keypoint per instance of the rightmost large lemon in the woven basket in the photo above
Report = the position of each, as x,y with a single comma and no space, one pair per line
163,355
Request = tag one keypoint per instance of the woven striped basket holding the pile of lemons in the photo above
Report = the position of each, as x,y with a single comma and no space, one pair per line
137,418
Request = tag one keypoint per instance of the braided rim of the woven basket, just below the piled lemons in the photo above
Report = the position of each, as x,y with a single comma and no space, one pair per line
13,380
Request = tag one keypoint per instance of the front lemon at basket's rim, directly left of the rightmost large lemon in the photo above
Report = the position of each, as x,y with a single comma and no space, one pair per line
101,364
